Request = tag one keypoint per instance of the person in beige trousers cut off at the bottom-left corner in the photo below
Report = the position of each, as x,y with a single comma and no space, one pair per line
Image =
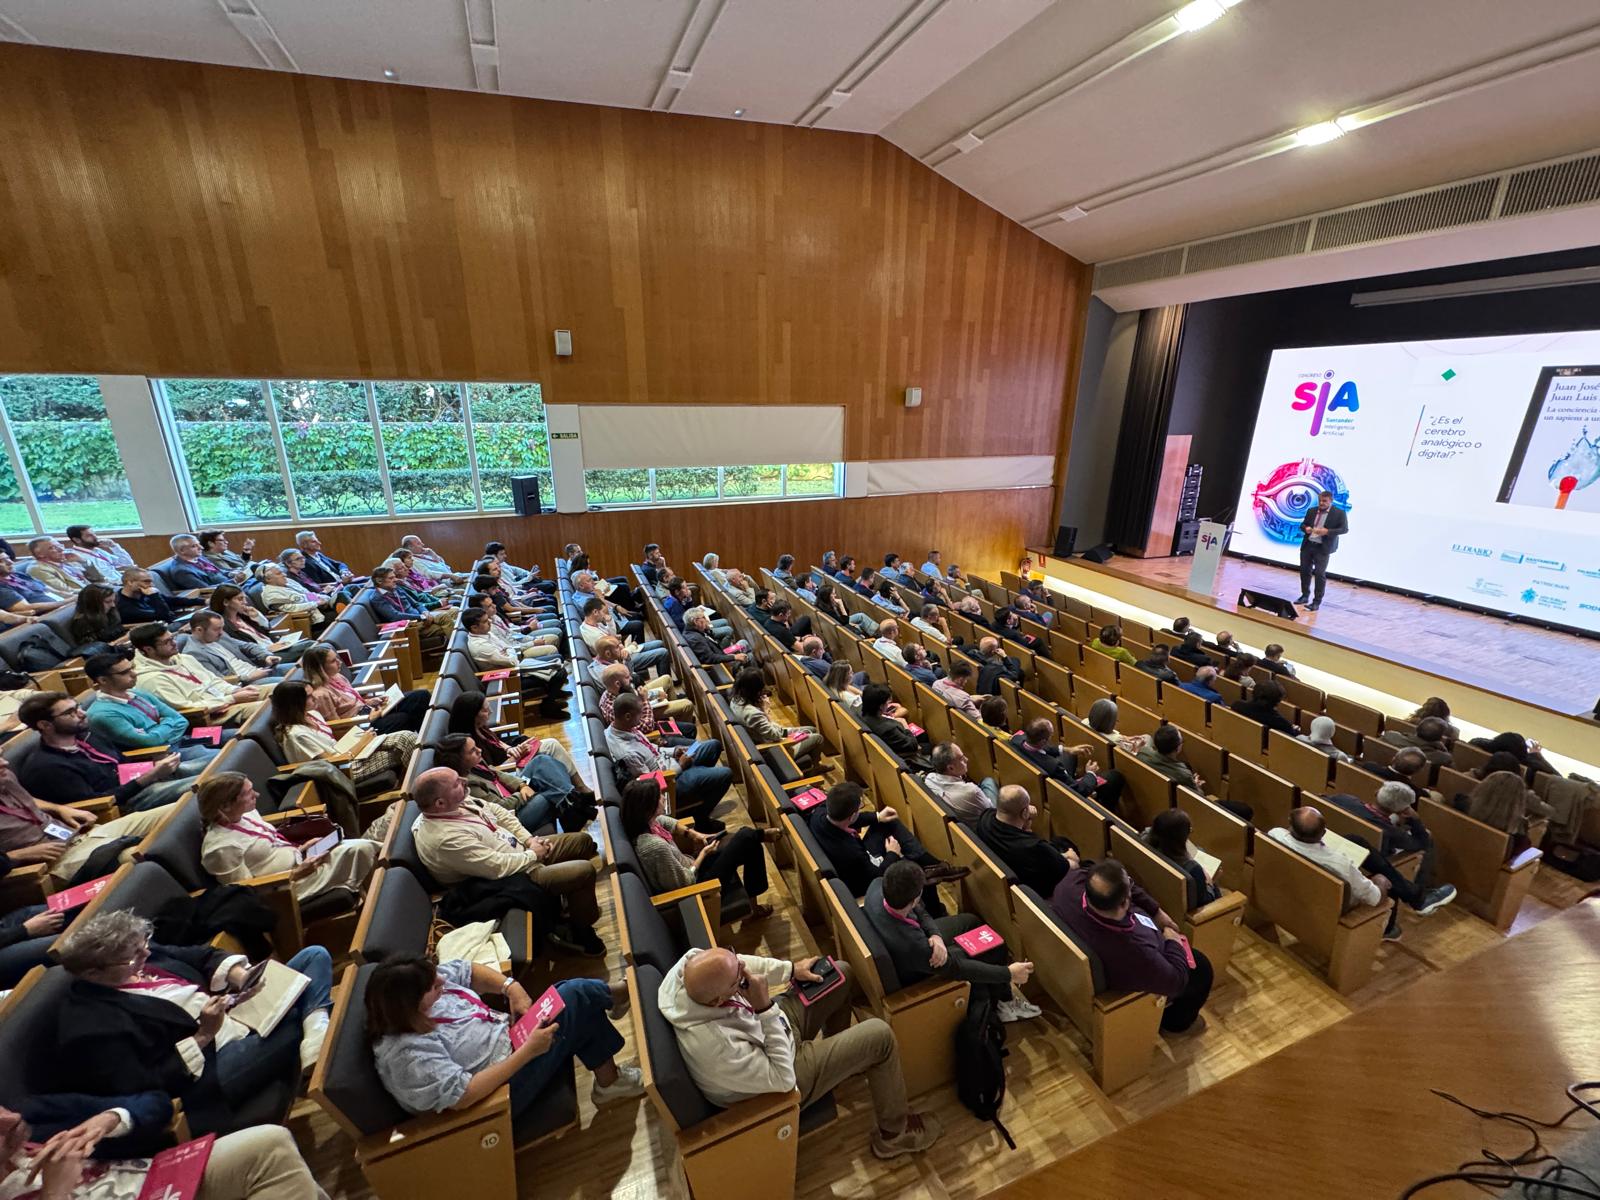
70,1145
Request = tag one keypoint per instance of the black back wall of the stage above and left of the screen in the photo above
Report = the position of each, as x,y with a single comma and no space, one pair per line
1228,345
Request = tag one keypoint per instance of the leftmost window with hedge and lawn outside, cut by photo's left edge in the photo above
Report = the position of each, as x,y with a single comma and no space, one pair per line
60,463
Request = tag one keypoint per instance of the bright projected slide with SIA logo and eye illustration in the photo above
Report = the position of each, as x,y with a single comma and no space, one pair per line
1470,470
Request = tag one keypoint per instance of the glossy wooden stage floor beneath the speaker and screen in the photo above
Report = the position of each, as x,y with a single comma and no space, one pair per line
1556,671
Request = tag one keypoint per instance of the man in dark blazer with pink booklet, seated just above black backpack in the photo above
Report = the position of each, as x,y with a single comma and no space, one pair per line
924,948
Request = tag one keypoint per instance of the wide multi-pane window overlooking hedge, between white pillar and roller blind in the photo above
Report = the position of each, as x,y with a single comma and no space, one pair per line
254,450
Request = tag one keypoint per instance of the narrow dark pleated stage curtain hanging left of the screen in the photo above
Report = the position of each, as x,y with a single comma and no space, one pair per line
1145,415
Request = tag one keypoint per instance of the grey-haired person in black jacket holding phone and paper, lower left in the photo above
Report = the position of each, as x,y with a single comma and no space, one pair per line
143,1017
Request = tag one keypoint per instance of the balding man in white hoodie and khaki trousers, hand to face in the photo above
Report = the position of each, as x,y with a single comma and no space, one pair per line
740,1042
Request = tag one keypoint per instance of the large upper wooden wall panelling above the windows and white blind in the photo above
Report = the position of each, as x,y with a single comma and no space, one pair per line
182,220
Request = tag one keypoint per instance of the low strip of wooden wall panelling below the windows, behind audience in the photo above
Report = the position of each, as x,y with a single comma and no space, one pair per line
980,530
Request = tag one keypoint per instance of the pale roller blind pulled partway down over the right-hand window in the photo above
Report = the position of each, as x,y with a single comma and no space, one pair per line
710,436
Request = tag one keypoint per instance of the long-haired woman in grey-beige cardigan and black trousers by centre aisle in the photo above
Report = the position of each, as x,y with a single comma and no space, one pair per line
737,858
